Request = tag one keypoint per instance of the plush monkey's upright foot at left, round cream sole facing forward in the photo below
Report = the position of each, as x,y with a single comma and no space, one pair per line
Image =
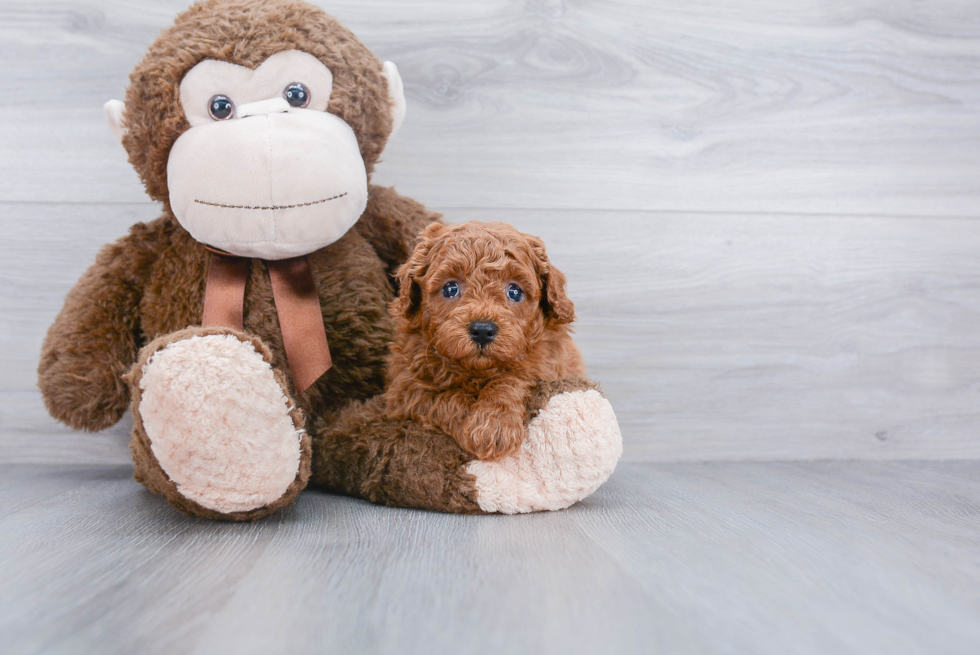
215,430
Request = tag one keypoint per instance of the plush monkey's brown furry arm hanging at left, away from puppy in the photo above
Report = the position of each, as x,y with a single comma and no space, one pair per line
96,336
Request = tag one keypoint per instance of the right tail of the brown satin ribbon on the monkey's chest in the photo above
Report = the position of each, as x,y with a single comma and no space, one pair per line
300,320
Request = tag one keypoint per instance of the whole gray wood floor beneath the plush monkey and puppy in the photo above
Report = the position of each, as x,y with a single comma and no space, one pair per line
805,558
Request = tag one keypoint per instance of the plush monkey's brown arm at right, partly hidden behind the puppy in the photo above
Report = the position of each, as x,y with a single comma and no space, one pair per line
391,223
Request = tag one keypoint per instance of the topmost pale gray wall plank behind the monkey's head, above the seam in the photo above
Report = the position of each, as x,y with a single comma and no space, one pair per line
820,107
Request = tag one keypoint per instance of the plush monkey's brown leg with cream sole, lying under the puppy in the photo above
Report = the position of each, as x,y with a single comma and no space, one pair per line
573,444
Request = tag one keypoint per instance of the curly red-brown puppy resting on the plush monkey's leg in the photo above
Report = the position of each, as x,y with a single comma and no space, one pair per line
481,317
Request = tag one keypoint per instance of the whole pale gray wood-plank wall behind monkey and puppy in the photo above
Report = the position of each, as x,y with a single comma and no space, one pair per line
769,212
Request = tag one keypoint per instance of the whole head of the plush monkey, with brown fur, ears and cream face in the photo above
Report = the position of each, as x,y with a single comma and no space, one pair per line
258,122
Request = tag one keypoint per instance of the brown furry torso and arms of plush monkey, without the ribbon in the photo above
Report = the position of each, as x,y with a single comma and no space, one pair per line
151,283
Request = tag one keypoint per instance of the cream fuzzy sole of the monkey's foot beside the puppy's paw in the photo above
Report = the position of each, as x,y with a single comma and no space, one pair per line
572,447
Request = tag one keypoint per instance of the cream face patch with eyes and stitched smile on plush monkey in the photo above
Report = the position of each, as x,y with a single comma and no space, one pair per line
264,171
